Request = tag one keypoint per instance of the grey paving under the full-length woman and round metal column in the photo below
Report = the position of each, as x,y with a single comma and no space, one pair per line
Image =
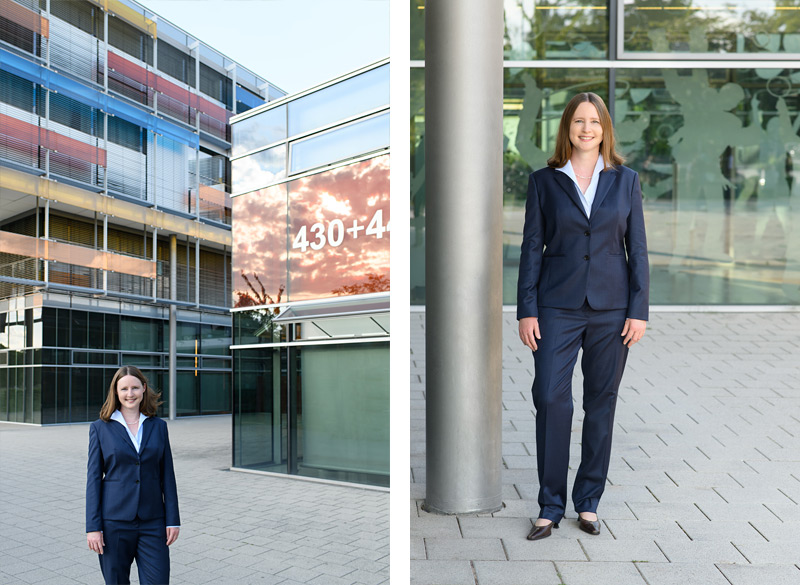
704,484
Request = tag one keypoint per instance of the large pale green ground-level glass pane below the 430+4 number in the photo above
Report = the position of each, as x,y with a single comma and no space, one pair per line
344,402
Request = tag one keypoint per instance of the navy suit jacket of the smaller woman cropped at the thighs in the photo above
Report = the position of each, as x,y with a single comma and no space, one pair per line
121,483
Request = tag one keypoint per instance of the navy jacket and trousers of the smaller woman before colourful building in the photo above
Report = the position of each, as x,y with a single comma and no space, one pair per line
131,497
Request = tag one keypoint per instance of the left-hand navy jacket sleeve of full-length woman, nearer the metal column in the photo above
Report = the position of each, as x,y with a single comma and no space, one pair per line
530,261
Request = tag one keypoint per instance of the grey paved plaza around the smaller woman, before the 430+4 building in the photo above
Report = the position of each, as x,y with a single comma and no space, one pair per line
238,528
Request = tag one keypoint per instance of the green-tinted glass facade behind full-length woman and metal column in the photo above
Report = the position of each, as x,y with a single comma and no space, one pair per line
705,98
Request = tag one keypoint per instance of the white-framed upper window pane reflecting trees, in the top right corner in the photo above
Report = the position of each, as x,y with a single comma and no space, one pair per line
714,26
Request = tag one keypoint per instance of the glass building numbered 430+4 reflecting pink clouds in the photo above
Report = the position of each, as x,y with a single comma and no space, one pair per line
311,280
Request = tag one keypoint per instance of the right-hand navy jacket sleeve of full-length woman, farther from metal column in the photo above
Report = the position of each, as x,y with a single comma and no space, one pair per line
638,264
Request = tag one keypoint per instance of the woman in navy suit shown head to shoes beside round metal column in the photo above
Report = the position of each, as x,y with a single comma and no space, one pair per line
583,284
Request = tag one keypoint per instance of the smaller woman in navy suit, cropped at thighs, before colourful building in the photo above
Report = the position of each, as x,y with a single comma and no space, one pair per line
131,496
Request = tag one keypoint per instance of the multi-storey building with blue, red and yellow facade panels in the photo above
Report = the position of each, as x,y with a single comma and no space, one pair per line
114,142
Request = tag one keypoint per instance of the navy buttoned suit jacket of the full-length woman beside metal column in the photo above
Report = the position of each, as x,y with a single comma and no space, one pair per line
568,257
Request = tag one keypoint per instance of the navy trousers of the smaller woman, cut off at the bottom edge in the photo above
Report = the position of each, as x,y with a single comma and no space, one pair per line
143,540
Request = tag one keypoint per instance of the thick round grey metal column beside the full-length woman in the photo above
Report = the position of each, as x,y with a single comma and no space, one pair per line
464,202
